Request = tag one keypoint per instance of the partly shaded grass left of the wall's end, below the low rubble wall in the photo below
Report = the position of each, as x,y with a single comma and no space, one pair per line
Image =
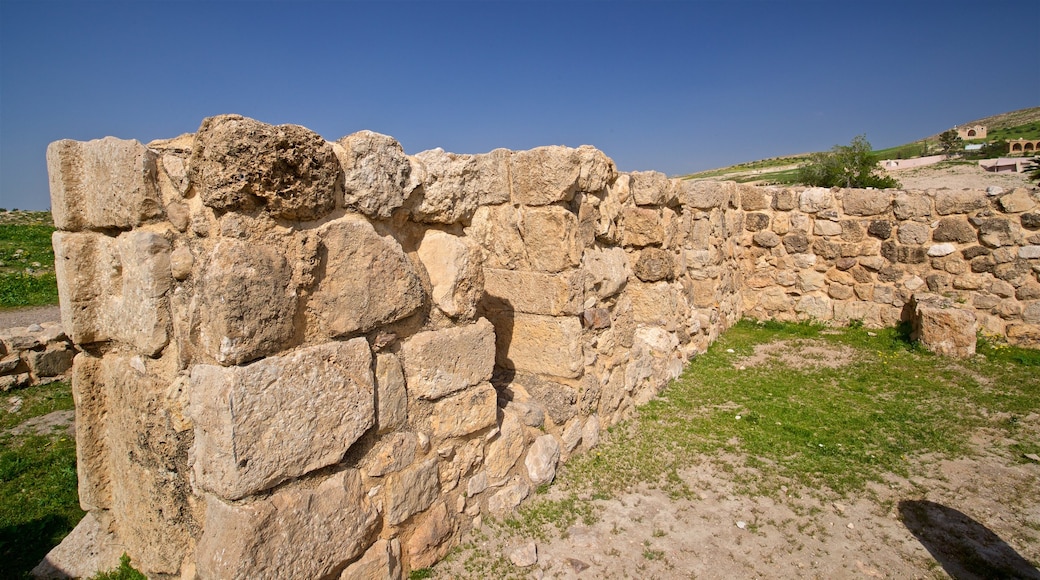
39,502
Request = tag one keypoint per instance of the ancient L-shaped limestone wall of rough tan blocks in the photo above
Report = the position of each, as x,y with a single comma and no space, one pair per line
303,359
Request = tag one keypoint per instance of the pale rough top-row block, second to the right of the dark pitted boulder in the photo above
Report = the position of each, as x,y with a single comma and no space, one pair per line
455,186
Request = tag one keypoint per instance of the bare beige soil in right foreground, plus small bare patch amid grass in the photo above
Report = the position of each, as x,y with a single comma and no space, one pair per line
967,518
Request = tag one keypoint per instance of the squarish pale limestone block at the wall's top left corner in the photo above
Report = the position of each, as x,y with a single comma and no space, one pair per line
105,183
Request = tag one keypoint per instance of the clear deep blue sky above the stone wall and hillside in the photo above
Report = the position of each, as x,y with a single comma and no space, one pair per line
674,87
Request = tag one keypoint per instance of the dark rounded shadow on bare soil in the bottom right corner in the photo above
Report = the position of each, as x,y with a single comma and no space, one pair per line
965,548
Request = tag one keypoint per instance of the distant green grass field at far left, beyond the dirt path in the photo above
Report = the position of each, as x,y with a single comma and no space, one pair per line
28,258
